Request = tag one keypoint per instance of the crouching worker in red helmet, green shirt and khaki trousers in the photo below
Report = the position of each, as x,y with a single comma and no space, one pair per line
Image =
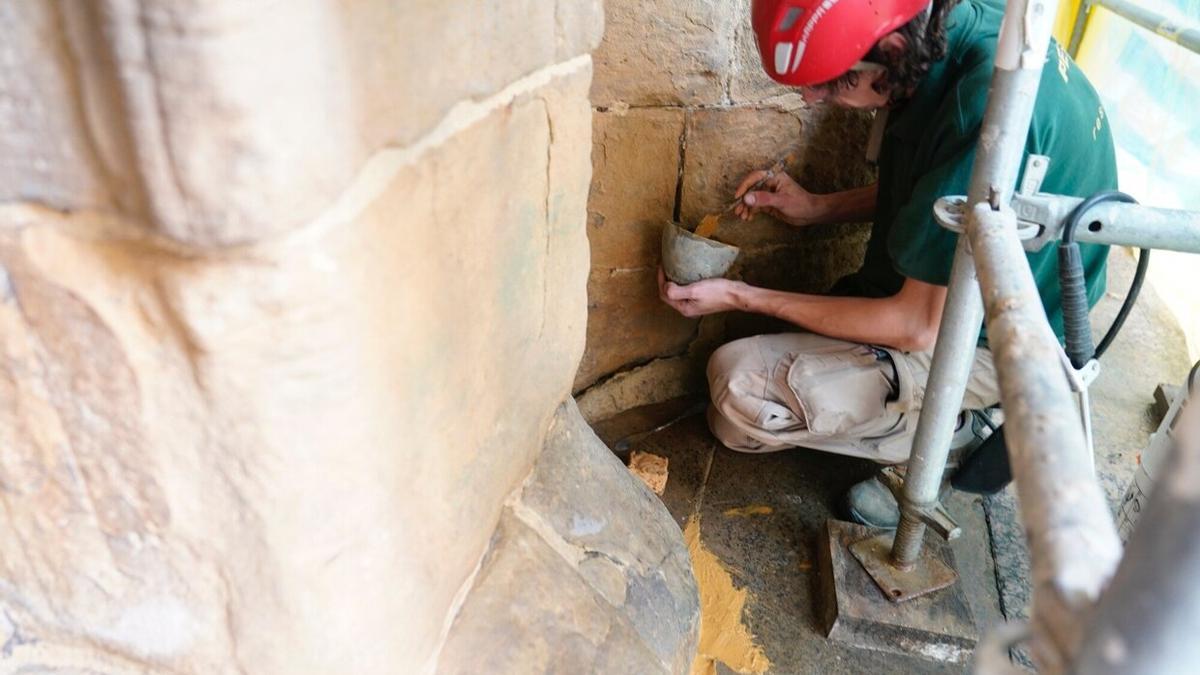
853,380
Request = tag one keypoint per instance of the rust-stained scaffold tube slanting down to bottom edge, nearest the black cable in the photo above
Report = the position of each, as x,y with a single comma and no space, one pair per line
1073,542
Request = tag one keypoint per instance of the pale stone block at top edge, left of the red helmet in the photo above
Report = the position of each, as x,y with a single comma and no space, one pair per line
665,52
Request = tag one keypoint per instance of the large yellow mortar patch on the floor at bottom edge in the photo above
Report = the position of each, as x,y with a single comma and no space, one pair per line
723,636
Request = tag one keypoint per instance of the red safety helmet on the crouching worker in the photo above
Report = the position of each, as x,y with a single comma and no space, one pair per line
807,43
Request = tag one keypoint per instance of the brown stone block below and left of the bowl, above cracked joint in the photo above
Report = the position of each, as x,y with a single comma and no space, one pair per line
628,324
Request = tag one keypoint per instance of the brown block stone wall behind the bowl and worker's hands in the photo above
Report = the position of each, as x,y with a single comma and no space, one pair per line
682,114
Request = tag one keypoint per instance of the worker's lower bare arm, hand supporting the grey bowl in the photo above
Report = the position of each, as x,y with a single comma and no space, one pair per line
908,321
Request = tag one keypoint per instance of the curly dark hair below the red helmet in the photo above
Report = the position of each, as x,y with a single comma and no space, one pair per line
926,39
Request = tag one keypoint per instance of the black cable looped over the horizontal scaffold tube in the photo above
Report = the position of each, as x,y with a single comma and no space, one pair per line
1077,327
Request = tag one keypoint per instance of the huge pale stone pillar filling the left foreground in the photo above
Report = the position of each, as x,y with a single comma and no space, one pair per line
290,296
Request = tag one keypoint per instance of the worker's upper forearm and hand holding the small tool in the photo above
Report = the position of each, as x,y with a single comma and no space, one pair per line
784,199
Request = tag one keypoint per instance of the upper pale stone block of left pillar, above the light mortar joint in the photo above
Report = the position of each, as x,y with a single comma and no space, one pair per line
160,107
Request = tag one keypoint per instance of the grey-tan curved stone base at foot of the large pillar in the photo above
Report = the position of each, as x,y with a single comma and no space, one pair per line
587,574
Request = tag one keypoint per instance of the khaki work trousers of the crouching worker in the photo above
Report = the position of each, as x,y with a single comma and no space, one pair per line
802,390
